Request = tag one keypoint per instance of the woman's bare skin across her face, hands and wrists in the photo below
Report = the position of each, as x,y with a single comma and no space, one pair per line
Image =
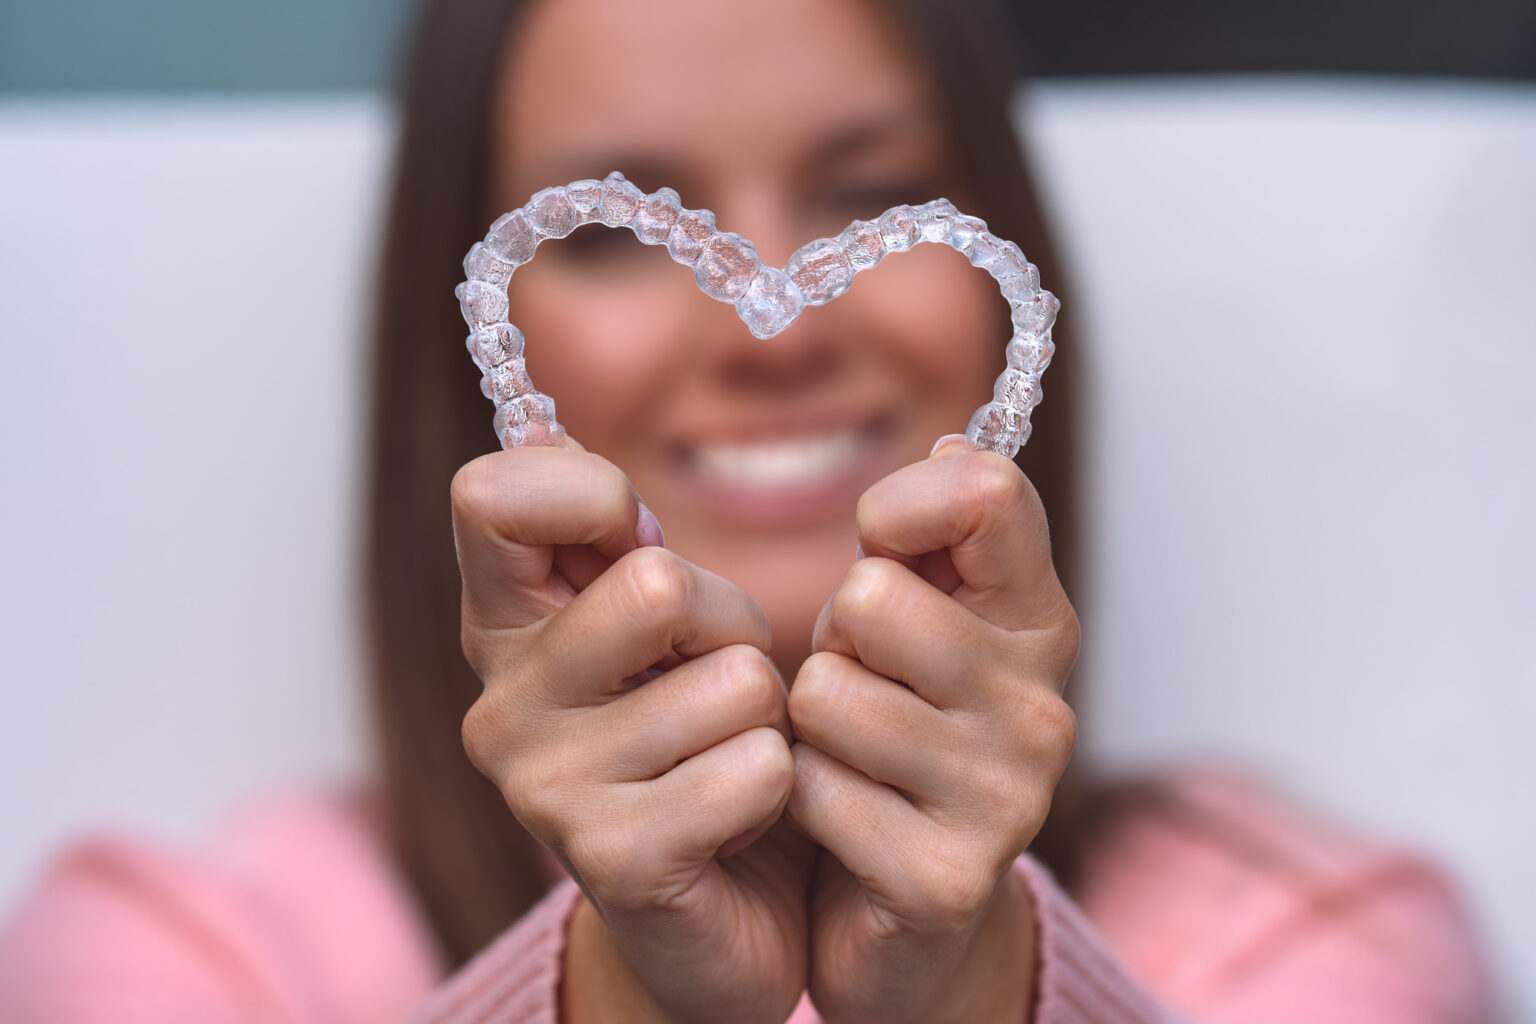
770,768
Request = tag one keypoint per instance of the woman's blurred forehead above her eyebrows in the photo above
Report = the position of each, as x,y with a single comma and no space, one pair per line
703,84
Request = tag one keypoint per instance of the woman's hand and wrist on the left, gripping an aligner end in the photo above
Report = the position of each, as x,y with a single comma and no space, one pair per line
637,727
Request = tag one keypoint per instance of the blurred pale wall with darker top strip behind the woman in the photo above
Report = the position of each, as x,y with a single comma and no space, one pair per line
1302,242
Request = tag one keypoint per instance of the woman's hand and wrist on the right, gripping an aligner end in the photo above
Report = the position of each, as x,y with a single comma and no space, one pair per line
930,739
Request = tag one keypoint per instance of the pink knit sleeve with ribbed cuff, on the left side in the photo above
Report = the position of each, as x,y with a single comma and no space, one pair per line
293,916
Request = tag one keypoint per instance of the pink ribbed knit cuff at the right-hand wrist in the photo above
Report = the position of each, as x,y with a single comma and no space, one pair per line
1079,980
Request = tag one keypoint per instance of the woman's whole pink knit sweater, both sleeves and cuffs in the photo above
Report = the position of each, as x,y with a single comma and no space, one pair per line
296,913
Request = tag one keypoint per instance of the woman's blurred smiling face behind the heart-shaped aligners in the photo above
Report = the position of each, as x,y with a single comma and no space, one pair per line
789,121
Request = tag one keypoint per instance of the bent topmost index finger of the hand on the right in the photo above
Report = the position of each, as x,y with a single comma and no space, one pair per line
985,514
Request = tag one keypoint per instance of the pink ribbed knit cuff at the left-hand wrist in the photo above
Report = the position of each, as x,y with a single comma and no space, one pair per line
515,979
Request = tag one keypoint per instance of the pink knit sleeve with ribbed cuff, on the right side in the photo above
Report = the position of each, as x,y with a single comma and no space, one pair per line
1388,945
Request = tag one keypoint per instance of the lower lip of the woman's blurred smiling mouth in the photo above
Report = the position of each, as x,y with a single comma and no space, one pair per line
789,506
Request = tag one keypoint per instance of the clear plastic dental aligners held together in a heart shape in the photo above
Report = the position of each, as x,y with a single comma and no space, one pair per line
727,268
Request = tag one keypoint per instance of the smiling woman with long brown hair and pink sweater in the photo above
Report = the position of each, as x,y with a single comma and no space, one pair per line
827,787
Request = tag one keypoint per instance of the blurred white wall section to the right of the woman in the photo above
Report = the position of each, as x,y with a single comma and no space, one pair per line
1314,451
